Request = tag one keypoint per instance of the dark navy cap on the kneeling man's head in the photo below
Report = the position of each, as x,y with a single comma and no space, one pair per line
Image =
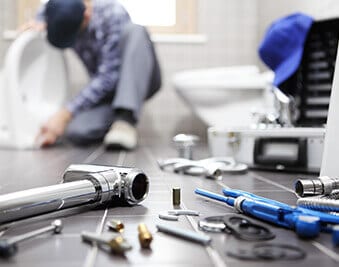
64,19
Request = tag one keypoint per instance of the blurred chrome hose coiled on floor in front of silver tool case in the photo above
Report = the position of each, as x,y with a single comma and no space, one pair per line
210,168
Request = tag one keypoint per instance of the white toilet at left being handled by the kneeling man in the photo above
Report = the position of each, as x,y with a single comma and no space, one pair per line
33,86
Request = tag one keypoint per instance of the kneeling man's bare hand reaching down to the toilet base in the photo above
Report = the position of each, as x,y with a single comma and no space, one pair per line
54,128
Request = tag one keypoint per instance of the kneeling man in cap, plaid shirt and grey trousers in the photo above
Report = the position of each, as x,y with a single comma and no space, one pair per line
122,65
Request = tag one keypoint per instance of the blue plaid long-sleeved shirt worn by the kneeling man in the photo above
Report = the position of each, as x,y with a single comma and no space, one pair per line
98,48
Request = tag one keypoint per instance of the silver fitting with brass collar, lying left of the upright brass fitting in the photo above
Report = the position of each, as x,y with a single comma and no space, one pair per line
115,242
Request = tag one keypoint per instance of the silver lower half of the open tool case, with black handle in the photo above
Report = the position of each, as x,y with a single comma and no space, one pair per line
292,149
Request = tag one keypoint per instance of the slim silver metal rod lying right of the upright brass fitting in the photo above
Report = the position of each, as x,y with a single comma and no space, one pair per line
185,234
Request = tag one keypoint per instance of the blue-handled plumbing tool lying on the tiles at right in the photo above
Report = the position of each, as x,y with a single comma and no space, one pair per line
306,223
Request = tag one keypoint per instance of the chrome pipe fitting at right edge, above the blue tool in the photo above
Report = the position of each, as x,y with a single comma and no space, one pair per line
324,185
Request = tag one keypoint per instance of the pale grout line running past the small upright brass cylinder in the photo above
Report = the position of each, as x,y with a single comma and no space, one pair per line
212,253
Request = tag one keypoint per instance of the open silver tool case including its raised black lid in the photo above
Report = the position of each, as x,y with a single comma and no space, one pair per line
299,146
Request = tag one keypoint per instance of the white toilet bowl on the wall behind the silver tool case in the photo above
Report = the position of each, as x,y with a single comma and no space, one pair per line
225,96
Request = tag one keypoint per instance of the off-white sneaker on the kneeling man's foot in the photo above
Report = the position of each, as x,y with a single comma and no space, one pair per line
121,135
